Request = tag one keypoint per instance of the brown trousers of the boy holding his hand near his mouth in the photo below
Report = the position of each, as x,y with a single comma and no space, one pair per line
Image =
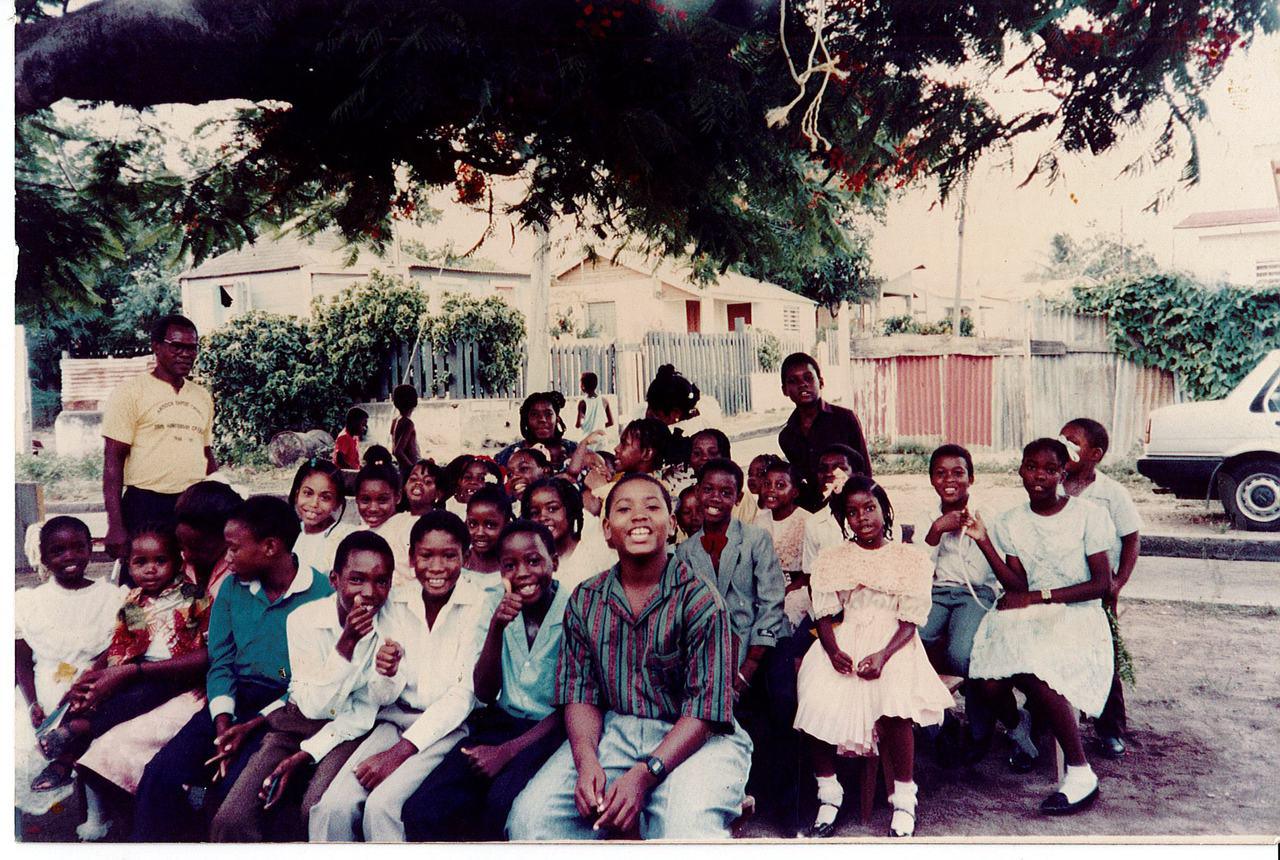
241,817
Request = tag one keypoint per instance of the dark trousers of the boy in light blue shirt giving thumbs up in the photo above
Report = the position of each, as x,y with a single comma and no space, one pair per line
456,804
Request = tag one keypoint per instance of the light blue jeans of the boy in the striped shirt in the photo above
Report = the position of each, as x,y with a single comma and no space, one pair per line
698,800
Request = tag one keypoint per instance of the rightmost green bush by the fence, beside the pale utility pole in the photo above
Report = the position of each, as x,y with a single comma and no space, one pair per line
497,328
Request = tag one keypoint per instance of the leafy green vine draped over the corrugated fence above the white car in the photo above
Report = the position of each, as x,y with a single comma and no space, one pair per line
1209,338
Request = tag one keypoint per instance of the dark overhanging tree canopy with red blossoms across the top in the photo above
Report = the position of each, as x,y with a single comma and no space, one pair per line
637,118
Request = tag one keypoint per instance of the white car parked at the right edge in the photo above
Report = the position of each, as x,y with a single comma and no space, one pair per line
1229,449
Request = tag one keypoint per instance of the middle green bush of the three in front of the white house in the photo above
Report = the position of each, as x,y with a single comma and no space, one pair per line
356,330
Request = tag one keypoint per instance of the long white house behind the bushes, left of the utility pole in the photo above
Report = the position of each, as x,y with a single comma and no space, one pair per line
285,275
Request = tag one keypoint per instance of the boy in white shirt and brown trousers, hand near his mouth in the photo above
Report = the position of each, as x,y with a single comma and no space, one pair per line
344,670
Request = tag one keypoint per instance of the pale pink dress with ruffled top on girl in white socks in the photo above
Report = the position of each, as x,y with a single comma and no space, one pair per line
877,589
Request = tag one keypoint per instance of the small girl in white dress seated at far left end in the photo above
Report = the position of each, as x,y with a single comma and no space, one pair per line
62,626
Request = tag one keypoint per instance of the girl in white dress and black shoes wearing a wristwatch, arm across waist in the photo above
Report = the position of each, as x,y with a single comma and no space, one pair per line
1050,637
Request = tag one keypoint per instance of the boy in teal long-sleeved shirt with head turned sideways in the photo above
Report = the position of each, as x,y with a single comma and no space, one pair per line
249,669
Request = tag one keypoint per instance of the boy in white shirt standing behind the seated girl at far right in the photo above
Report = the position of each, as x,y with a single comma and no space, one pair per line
1087,443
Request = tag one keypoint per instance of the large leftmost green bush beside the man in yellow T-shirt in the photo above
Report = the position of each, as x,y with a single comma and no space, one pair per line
267,374
